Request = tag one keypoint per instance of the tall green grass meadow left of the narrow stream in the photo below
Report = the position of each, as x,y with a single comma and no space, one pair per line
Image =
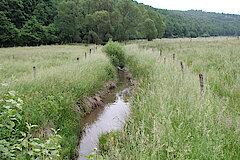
61,81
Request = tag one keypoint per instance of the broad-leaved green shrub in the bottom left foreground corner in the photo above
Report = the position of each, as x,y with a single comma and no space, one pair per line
16,139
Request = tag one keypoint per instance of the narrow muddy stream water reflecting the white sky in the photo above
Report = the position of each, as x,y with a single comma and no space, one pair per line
106,118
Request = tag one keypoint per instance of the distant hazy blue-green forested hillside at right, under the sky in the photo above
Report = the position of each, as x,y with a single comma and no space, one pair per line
195,23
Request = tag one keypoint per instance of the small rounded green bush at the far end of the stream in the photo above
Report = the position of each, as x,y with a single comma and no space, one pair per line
116,53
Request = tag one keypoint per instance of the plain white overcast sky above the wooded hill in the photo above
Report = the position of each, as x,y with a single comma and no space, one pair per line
225,6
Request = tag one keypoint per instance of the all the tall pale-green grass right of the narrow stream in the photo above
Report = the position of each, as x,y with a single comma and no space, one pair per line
170,118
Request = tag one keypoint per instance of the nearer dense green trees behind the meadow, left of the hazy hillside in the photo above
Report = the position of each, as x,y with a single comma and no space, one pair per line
35,22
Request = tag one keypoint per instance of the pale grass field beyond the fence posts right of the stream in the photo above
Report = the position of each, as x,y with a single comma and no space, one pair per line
217,58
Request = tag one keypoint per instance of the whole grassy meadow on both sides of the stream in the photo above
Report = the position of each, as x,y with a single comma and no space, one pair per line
170,117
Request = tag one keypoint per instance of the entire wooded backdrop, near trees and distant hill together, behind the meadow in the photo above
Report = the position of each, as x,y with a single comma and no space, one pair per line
35,22
